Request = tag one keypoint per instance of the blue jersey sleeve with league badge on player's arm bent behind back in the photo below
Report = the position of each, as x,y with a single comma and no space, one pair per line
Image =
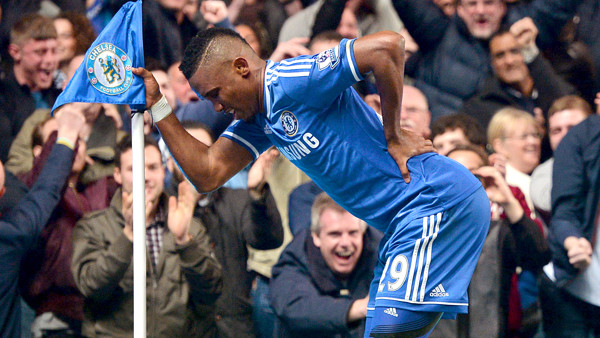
331,73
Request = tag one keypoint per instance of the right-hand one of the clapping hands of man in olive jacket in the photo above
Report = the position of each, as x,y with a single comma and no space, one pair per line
181,211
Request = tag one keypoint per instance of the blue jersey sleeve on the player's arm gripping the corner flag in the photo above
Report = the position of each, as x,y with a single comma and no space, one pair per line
249,136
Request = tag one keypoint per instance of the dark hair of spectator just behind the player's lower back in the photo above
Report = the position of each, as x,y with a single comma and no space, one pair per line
470,127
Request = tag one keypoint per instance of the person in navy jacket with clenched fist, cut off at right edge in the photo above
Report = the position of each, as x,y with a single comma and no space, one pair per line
570,288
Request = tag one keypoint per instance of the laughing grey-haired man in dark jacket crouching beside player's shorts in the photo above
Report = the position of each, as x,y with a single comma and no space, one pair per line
320,284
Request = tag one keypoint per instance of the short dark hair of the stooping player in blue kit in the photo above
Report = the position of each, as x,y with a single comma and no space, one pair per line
198,49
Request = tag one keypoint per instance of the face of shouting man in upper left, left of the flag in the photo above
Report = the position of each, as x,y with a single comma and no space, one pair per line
38,61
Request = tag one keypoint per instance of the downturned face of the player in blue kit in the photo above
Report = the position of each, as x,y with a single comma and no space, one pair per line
227,89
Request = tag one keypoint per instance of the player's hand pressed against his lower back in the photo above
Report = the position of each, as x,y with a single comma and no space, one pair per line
407,145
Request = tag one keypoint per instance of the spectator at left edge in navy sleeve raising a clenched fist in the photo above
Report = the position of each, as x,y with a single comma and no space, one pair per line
21,226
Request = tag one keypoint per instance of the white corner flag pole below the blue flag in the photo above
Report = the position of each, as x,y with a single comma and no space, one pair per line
139,226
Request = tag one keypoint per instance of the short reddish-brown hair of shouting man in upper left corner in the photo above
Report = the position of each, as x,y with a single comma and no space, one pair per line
32,26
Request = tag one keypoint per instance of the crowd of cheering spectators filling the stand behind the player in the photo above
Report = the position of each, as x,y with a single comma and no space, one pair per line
508,88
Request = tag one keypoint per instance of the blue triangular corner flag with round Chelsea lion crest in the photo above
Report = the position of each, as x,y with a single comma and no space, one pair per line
105,74
